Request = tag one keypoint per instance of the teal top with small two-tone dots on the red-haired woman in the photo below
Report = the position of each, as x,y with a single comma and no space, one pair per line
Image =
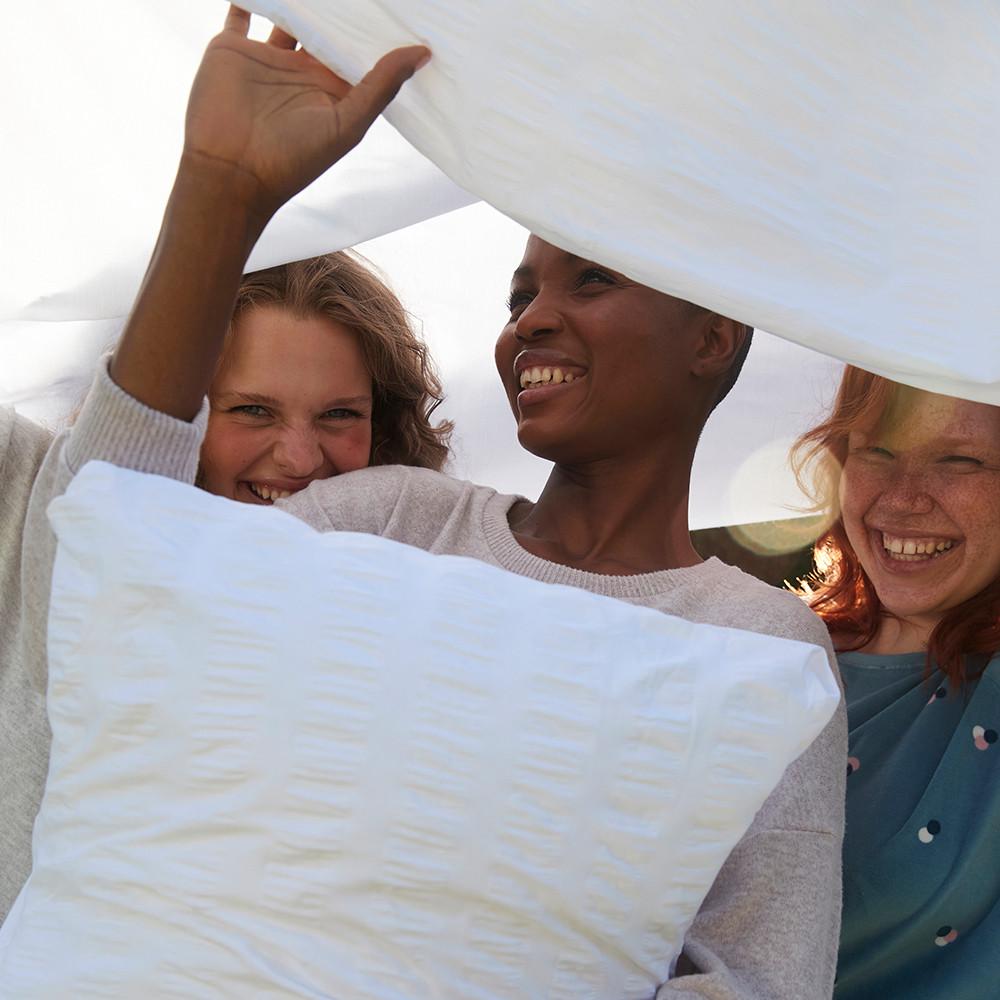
922,843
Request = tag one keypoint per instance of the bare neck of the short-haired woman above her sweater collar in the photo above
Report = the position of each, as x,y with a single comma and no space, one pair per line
611,517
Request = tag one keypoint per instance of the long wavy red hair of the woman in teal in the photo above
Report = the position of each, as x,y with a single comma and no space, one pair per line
839,590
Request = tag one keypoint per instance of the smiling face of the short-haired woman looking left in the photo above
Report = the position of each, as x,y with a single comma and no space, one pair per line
594,364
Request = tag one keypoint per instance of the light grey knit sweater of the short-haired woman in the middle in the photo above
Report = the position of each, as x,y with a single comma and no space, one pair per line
769,926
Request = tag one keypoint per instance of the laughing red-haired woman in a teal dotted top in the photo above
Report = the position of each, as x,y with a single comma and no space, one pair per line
909,585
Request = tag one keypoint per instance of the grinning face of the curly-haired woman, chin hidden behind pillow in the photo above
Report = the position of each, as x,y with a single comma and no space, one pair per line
291,403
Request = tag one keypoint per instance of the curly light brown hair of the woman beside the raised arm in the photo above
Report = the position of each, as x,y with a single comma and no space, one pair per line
405,387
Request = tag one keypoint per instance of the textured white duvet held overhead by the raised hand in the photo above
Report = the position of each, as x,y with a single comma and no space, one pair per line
824,171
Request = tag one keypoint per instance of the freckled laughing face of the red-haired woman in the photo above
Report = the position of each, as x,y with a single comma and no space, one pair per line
920,495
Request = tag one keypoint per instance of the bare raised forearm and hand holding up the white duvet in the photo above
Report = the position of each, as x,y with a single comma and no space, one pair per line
264,120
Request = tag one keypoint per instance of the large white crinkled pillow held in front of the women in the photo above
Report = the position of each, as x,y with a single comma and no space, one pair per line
287,764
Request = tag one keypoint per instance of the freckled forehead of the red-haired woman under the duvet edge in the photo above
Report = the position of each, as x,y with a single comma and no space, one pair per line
916,418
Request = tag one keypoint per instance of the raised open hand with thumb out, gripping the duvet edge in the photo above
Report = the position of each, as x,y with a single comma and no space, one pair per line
276,116
